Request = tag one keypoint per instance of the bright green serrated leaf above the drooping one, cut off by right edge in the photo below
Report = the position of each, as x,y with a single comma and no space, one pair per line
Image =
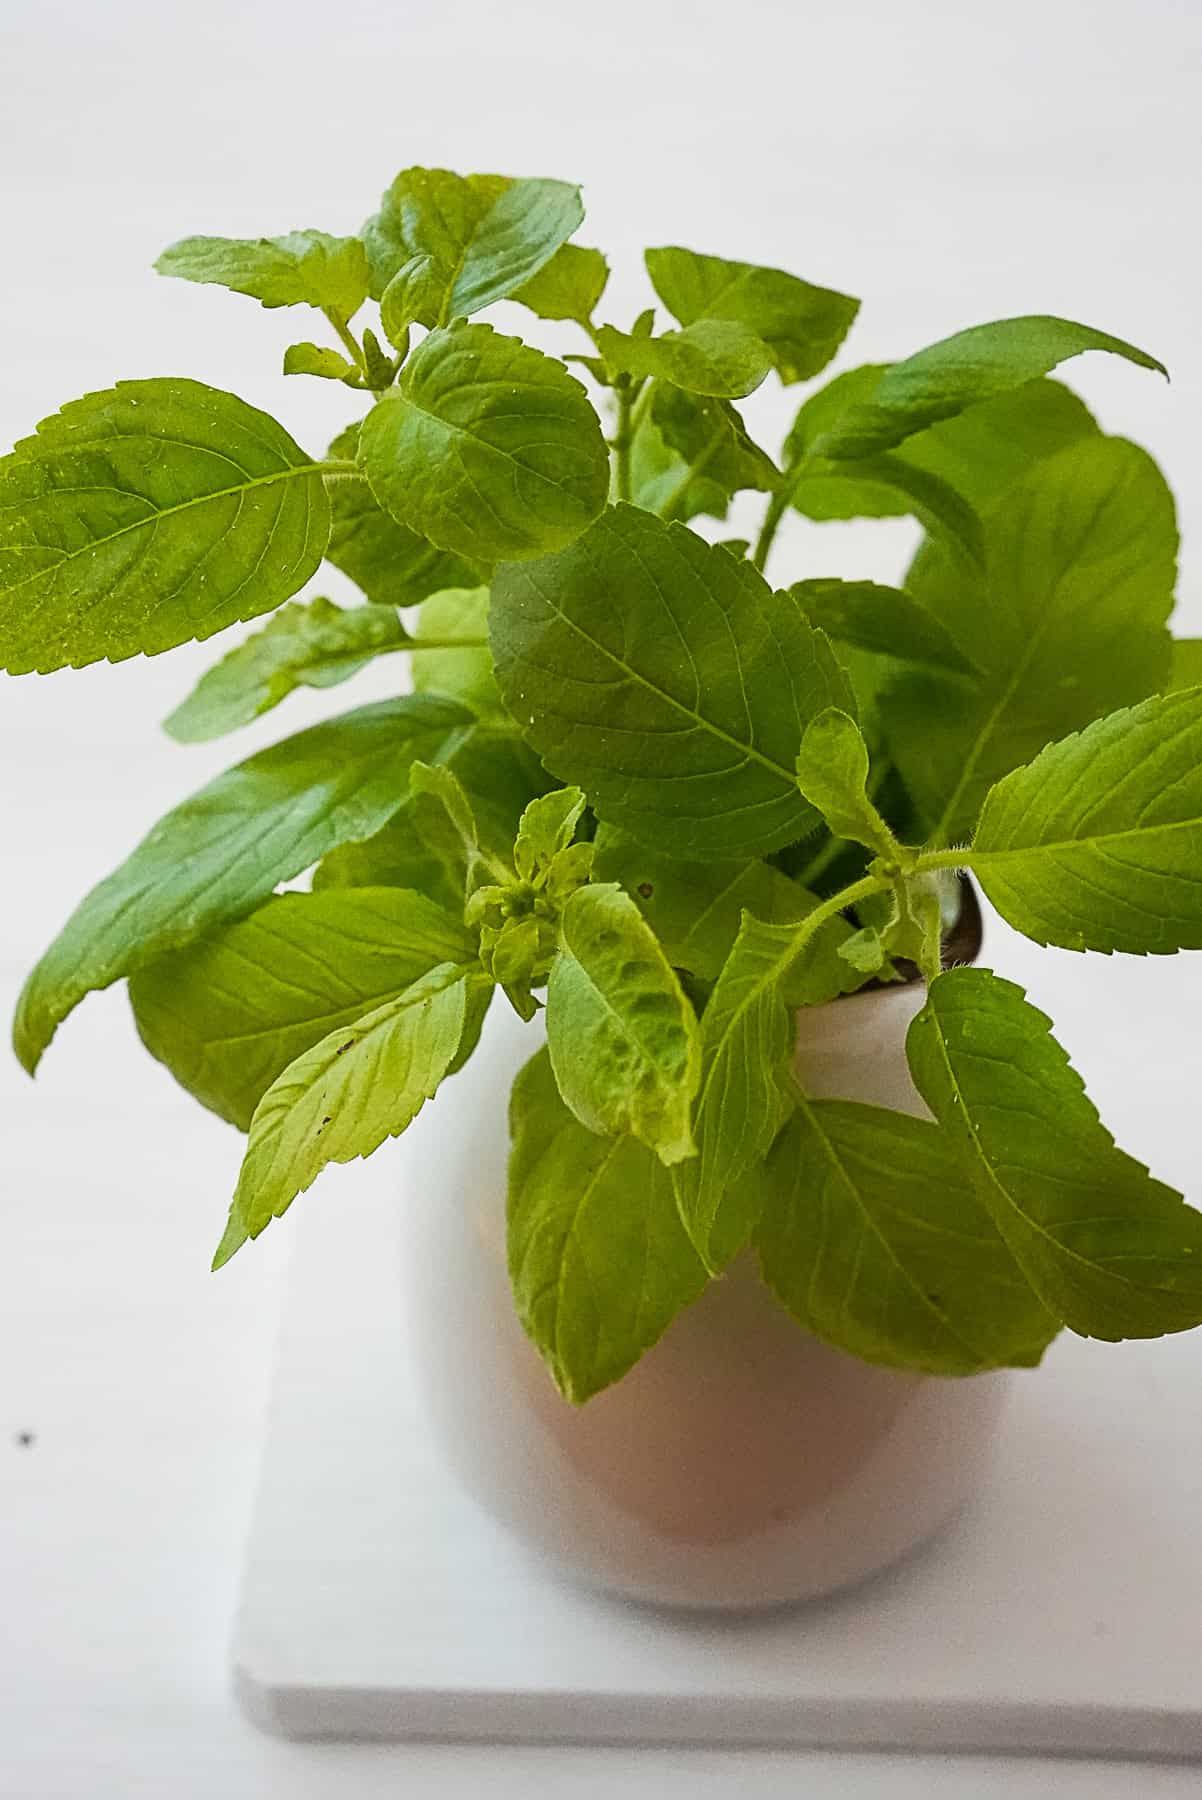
1099,843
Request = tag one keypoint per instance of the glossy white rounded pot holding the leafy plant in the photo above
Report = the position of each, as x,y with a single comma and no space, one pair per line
742,1462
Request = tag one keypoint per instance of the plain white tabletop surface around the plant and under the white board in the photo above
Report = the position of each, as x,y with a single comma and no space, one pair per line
947,166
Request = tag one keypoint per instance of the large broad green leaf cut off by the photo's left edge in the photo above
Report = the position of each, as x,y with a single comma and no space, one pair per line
148,516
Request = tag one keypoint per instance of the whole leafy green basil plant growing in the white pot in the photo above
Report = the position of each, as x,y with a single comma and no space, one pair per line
654,800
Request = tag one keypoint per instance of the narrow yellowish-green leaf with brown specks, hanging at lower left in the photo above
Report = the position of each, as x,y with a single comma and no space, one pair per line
352,1092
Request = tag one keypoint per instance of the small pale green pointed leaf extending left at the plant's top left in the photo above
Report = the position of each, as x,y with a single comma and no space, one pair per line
303,269
